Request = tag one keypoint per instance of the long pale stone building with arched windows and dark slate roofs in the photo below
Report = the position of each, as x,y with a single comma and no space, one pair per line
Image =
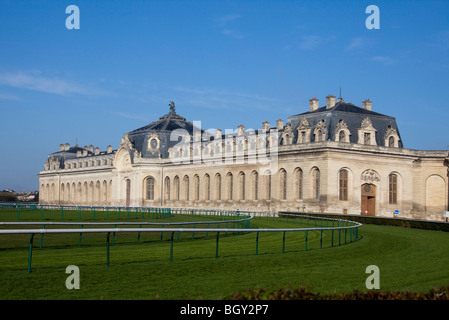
337,158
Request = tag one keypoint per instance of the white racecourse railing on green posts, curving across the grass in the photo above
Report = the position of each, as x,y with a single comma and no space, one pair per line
321,224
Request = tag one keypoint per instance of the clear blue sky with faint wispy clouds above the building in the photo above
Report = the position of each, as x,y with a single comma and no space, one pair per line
224,63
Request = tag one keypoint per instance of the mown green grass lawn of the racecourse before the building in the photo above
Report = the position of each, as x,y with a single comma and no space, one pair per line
409,259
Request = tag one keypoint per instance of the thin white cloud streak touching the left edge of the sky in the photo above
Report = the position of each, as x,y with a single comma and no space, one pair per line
36,82
